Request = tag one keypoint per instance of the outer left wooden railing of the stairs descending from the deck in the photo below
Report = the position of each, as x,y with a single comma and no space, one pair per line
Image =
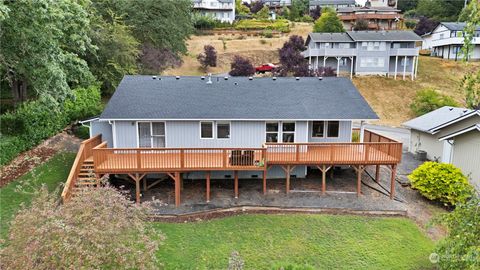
83,153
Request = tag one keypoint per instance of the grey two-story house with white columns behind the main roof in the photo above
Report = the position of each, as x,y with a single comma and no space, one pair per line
389,53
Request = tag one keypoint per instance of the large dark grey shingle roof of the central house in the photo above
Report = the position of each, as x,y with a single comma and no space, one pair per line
238,98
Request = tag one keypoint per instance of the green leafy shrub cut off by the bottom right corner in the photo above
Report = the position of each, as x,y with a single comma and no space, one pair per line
460,249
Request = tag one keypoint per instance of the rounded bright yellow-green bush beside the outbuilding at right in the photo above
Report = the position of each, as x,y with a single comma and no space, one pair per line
441,181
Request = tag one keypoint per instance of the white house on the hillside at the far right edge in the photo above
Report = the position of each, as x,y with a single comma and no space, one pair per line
446,41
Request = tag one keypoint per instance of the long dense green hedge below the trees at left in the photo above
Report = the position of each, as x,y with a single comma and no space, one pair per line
35,121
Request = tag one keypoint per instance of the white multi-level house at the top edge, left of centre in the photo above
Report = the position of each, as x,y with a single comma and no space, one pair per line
222,10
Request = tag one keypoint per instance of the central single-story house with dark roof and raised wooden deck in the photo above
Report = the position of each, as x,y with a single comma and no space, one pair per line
230,128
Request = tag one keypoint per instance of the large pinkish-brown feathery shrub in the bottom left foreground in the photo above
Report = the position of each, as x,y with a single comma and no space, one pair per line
81,234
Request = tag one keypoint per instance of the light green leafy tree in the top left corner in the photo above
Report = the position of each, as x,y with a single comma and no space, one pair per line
45,39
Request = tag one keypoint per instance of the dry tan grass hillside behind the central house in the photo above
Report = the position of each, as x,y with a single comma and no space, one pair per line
389,98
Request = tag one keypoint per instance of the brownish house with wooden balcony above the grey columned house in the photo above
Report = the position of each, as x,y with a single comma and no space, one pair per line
378,18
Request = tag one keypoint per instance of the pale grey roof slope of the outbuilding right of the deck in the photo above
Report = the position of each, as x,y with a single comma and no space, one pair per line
429,122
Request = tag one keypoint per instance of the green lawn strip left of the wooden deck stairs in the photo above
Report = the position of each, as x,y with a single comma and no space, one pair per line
51,173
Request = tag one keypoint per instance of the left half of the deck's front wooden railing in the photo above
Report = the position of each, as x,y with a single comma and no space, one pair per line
119,160
